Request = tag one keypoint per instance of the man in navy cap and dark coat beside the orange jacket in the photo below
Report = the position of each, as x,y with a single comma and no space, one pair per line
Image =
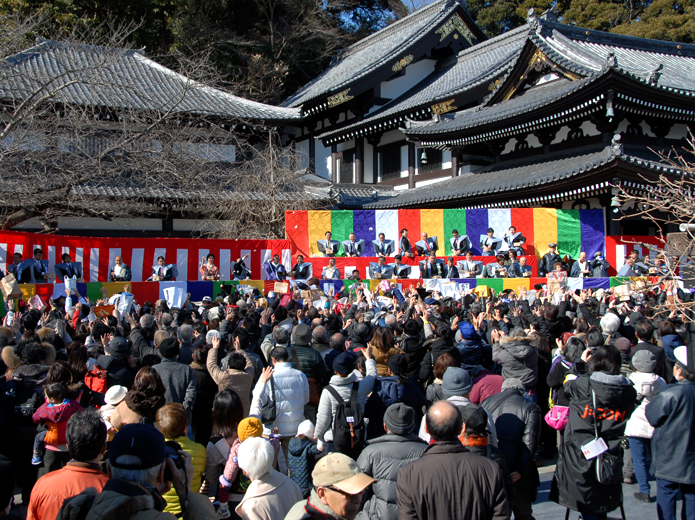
141,468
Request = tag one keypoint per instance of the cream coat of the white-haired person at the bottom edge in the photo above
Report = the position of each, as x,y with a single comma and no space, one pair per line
269,497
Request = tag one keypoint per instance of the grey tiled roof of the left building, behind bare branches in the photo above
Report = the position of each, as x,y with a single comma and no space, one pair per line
98,76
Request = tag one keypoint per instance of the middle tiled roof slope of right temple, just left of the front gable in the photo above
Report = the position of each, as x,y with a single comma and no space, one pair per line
472,67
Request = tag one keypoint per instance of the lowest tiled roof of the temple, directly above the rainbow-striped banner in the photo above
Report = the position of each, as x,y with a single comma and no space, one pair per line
518,177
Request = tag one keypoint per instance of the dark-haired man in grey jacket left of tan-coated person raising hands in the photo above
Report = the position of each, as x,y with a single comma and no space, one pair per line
179,383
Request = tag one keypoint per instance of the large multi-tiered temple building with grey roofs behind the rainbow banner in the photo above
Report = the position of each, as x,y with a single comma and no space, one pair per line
545,115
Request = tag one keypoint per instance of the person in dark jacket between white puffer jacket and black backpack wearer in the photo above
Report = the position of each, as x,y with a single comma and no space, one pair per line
305,359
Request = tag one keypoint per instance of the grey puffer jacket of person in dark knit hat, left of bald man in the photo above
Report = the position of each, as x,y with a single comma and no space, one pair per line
381,459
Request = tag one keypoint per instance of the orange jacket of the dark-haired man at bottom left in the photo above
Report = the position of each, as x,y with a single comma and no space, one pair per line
52,489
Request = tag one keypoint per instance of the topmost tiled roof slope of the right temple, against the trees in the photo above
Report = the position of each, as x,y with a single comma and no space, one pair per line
368,54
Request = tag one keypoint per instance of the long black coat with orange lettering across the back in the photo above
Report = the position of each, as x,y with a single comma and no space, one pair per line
574,483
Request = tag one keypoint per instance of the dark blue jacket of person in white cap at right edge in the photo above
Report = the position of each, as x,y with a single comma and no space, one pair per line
671,412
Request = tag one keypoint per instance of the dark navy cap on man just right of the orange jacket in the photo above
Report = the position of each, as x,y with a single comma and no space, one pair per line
141,440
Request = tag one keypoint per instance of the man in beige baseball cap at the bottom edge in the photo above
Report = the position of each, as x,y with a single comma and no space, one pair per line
337,494
